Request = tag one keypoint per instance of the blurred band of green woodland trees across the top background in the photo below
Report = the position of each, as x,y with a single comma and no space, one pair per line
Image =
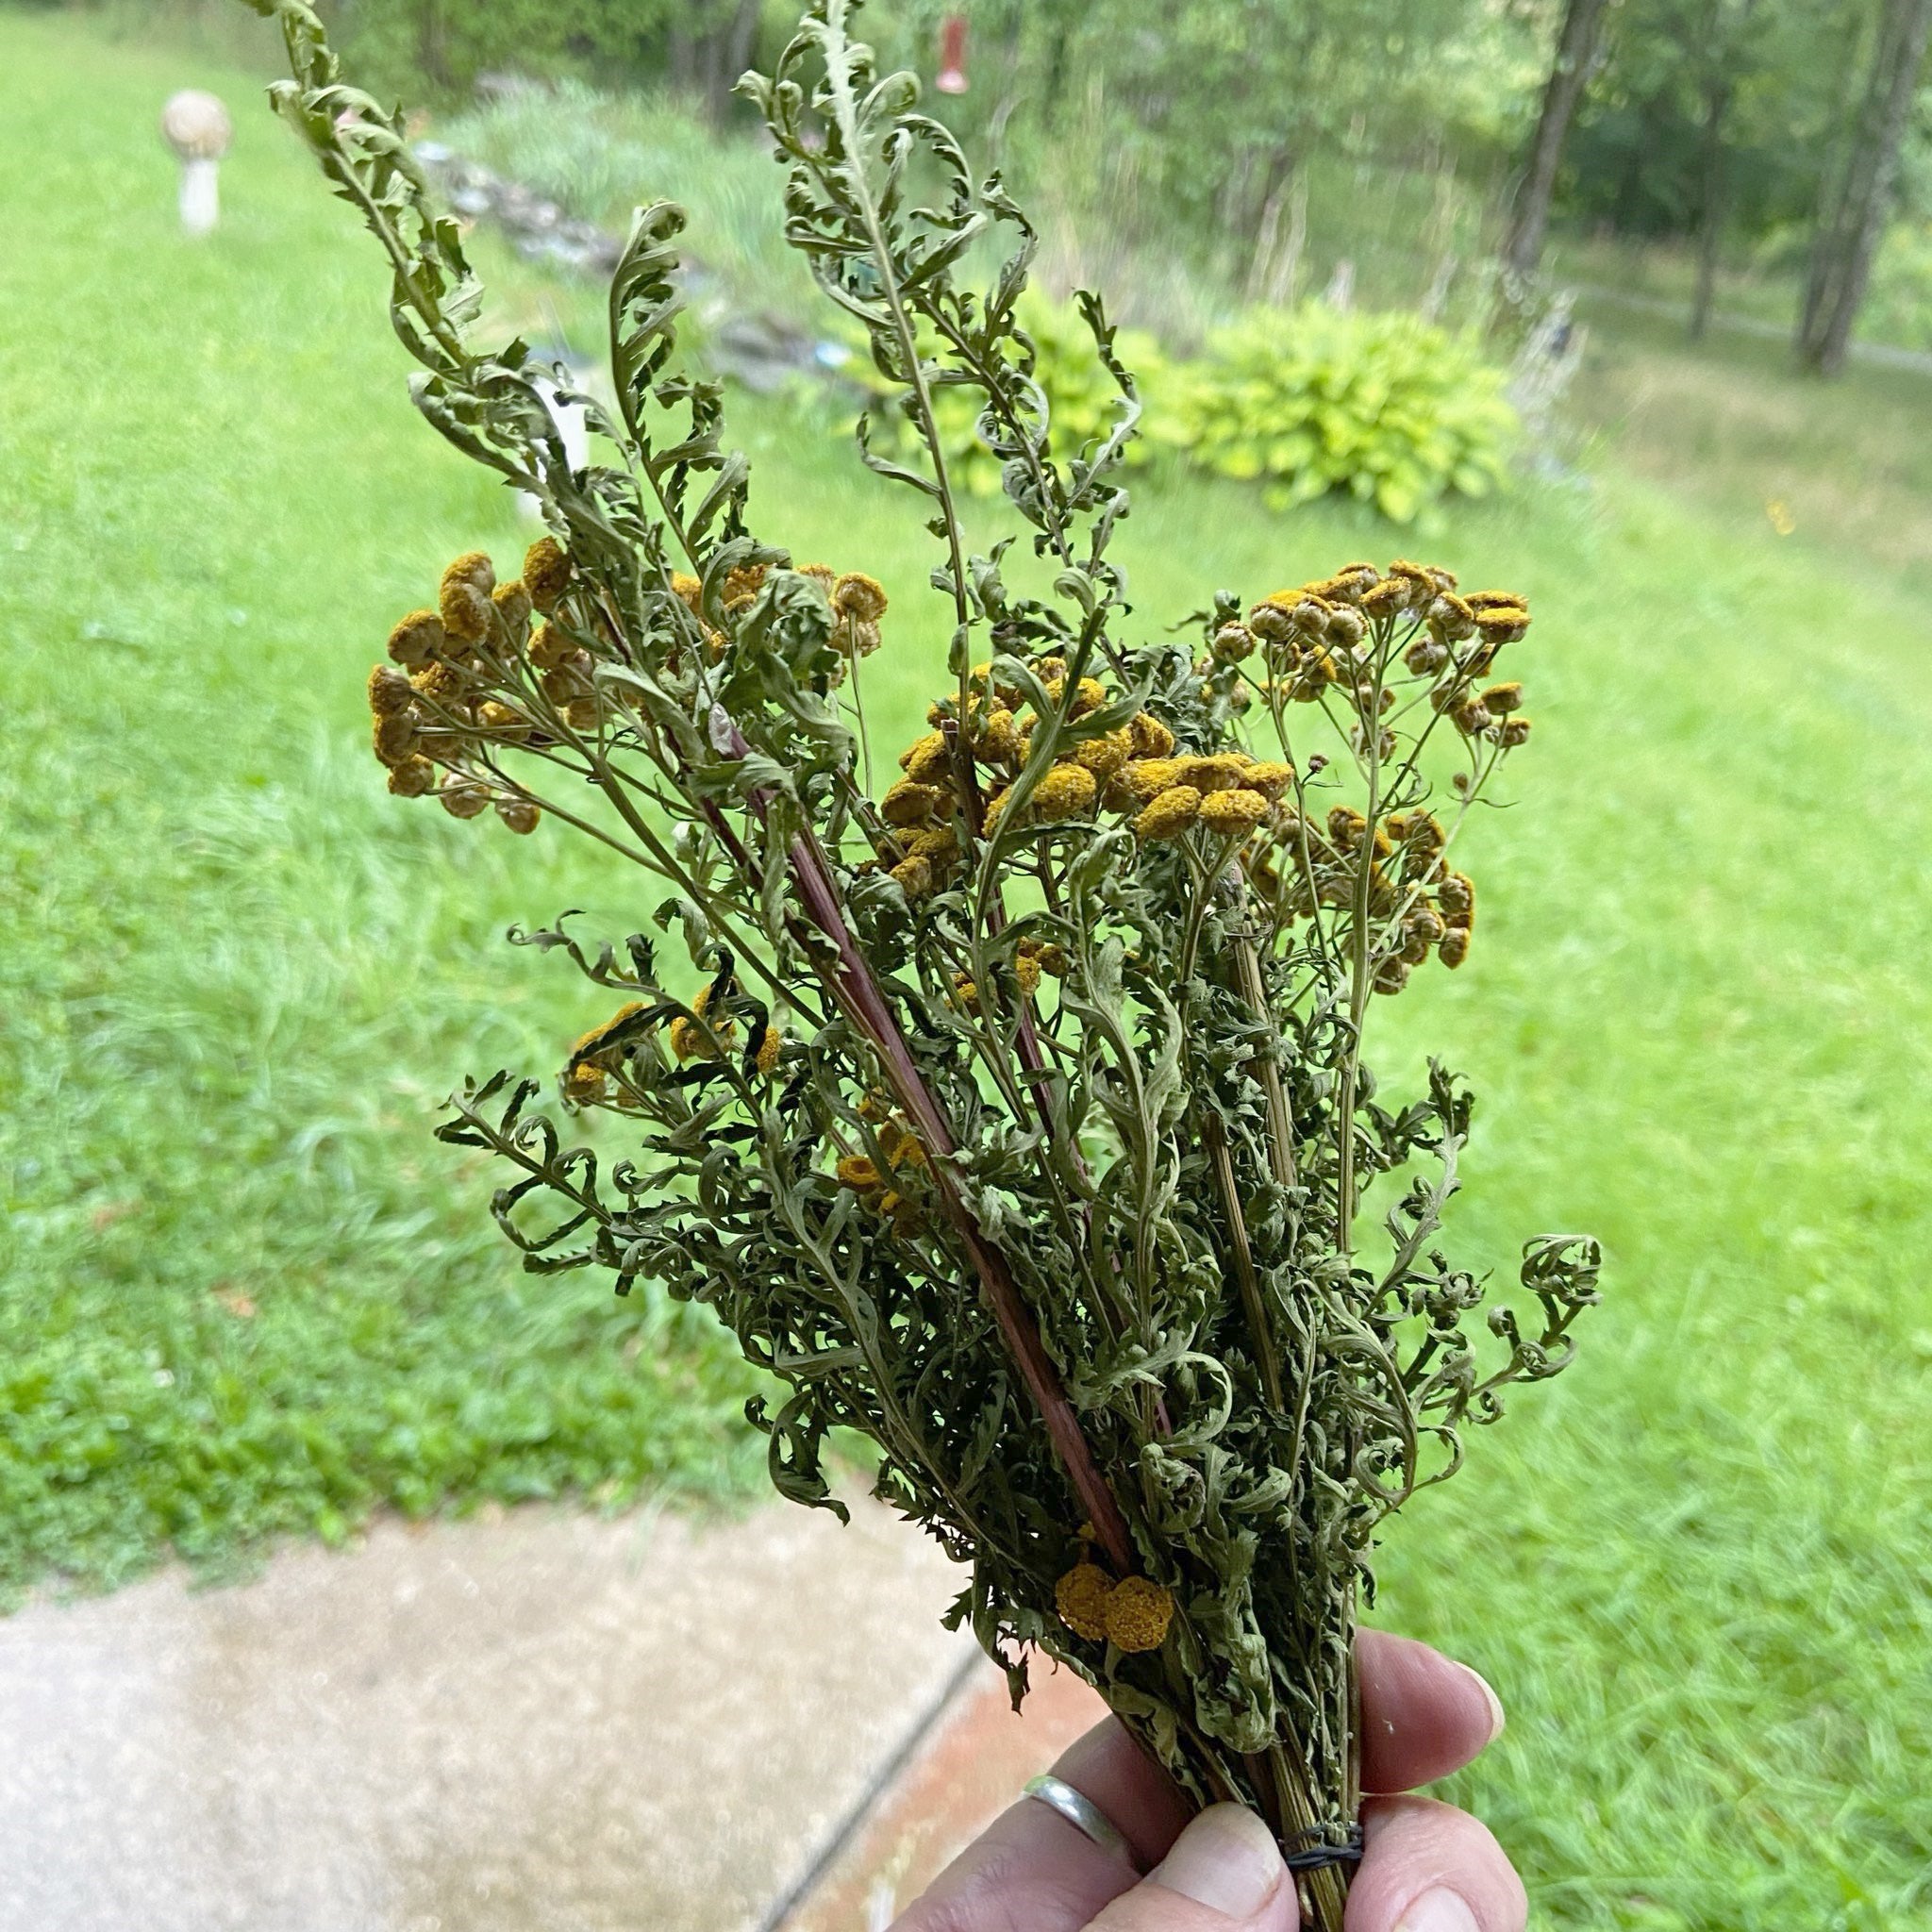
1197,127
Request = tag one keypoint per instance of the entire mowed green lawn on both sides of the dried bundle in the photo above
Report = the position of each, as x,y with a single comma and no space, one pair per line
248,1293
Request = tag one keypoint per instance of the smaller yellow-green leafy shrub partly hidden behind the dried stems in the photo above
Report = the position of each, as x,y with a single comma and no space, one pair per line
1081,395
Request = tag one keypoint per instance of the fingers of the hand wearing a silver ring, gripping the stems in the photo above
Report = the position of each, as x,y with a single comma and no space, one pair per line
1427,1867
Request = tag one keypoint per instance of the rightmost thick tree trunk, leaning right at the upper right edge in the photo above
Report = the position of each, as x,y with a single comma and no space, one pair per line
1848,242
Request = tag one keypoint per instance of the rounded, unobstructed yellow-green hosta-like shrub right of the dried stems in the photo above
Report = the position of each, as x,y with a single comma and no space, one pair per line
1386,409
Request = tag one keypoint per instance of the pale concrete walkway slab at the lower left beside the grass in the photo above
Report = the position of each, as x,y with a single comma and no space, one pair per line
540,1724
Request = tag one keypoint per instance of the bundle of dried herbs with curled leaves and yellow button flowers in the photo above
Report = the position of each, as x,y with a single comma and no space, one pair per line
1015,1116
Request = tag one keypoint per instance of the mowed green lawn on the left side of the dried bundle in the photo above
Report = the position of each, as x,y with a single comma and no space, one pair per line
244,1290
